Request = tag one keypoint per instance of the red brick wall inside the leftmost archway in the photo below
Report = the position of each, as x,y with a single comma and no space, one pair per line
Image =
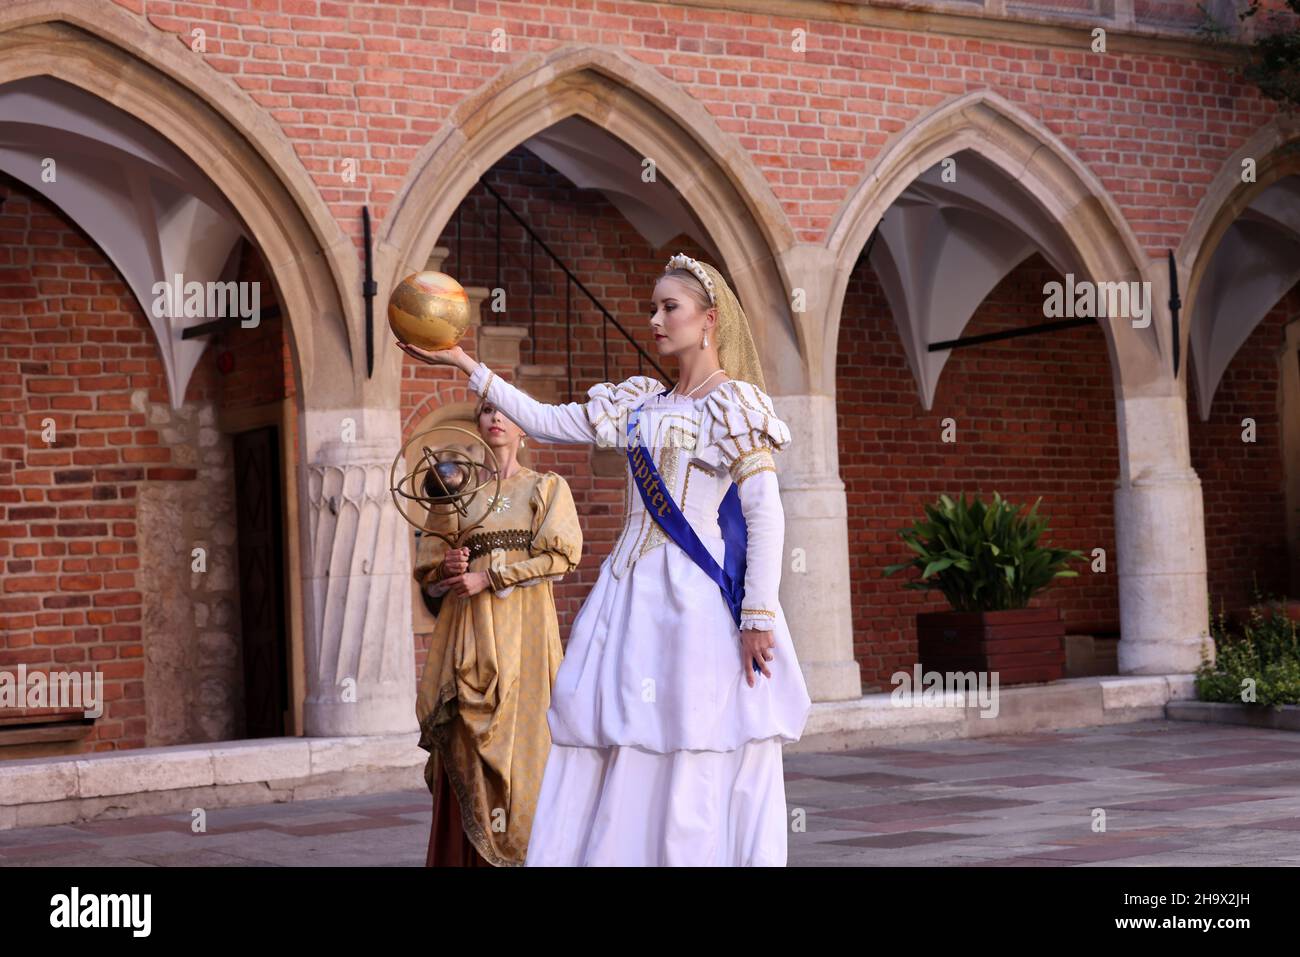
77,353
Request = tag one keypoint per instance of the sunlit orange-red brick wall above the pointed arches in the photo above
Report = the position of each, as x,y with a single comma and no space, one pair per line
363,81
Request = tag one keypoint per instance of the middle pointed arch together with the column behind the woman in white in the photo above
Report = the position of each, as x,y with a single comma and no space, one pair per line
635,107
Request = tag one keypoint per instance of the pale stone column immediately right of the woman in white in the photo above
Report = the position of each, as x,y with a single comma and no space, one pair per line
816,581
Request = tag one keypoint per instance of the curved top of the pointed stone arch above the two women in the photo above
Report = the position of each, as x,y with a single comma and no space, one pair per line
648,112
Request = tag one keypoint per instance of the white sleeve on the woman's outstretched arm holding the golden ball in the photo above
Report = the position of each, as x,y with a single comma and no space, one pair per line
596,422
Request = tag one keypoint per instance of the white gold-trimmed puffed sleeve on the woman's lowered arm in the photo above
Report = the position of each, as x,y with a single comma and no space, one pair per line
744,435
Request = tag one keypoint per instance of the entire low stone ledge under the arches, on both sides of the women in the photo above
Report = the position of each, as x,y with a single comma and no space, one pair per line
229,774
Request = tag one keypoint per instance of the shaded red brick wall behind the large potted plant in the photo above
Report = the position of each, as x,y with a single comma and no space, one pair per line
1035,417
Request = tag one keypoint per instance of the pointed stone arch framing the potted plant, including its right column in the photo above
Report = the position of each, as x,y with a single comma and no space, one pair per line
1159,512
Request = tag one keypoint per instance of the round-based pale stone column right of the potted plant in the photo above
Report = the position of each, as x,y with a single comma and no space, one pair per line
1160,529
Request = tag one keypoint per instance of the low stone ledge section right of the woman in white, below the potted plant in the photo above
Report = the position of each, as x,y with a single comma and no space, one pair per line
1076,703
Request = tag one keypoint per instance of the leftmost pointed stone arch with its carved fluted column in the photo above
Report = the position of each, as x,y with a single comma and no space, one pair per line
353,571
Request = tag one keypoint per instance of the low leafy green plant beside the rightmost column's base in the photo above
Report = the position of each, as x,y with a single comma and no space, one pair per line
1266,656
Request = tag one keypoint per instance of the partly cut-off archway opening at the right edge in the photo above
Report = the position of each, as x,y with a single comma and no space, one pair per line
1242,256
